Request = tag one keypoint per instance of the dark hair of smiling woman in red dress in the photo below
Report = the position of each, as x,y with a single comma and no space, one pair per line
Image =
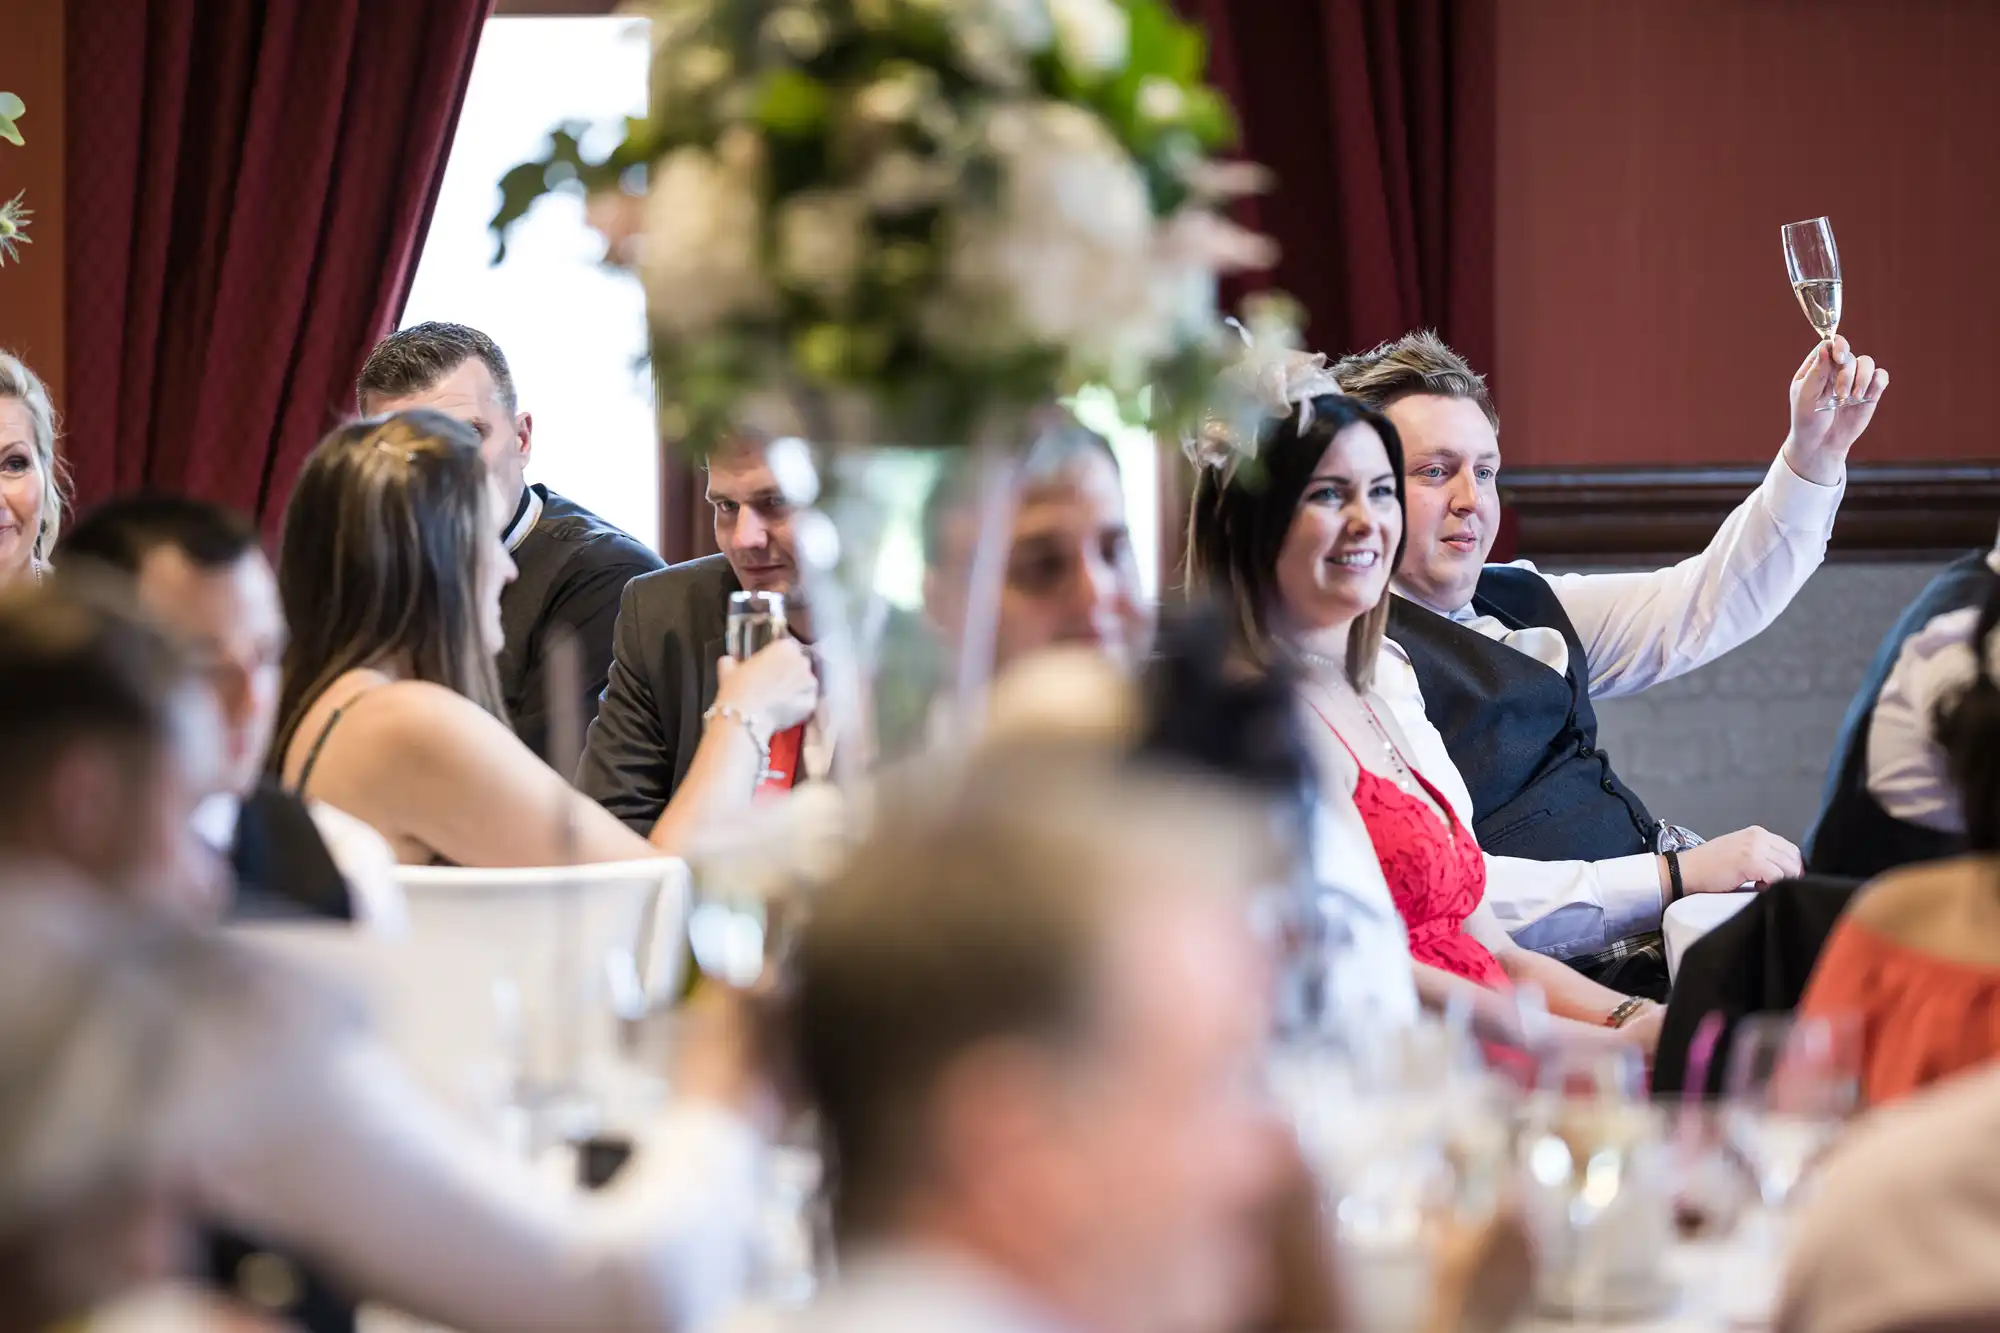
1241,517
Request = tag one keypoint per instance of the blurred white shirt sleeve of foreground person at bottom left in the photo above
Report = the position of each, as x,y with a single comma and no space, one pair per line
391,1196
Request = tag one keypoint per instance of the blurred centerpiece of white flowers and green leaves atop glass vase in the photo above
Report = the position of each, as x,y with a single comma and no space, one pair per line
909,221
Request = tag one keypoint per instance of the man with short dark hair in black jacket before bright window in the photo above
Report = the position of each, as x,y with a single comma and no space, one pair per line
573,567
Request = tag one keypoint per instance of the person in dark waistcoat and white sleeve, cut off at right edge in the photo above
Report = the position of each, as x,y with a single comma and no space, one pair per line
1889,800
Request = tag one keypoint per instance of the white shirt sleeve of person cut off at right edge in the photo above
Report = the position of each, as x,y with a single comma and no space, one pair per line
1905,762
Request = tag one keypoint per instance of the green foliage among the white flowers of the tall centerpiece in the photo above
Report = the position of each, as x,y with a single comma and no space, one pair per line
887,101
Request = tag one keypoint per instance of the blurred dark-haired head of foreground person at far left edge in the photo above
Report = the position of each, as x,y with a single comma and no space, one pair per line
111,744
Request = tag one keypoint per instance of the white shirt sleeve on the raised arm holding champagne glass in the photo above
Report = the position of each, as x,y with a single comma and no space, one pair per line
1645,629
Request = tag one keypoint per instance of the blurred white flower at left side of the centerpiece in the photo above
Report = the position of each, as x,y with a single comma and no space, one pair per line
701,253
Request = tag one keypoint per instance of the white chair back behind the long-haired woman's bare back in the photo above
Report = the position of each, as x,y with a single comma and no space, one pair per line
561,952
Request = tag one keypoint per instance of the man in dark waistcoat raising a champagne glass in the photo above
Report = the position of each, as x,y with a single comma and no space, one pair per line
1507,661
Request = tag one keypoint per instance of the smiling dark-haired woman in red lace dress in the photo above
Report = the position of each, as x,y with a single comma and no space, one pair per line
1301,537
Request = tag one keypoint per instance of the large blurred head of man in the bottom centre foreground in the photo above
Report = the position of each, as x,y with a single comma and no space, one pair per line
1031,1016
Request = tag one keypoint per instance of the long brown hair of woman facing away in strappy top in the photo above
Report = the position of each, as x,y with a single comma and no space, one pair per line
381,563
